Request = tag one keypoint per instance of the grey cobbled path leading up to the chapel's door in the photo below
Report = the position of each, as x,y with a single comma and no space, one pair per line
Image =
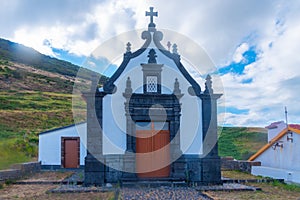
166,193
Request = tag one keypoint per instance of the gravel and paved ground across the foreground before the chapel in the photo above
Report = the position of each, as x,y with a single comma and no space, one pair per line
74,191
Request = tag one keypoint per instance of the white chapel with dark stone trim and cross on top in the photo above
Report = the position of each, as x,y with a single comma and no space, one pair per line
151,120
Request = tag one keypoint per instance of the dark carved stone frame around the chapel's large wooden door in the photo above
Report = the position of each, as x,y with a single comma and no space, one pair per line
137,107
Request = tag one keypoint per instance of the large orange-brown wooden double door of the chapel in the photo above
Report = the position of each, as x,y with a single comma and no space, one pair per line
152,149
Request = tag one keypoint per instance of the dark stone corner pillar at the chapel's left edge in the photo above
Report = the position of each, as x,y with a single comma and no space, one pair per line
94,170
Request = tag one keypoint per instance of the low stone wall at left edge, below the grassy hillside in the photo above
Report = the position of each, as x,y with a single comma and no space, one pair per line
19,170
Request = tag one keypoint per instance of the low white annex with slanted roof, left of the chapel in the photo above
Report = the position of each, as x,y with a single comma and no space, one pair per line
63,147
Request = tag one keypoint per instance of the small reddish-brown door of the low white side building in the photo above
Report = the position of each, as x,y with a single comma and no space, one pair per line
71,157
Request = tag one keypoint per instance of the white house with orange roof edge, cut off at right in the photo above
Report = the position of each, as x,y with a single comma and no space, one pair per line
280,157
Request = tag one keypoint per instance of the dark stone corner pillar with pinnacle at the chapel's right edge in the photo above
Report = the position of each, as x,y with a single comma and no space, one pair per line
211,163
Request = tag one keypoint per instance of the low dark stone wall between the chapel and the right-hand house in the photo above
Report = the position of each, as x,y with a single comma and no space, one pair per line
228,163
